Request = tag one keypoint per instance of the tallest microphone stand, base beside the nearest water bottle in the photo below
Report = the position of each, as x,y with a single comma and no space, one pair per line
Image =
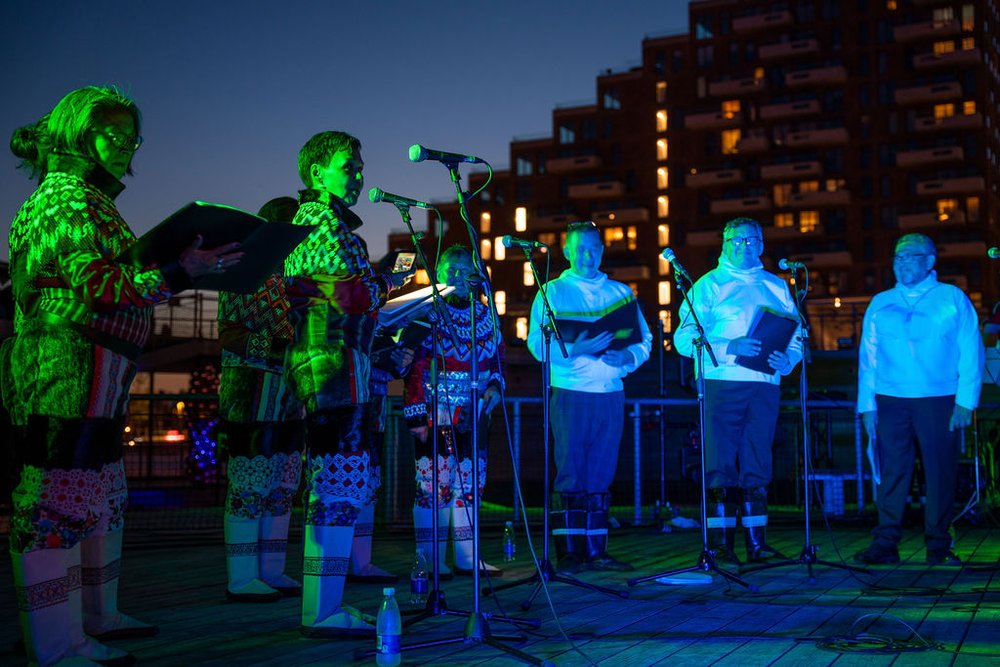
477,629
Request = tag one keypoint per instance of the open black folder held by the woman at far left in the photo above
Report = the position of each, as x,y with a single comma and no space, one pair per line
265,244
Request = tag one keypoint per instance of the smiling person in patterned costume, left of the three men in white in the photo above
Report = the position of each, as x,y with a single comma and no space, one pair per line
456,417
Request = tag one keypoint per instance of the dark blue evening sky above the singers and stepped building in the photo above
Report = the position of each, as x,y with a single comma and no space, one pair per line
230,90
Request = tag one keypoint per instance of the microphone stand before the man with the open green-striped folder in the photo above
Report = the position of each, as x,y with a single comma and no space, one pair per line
545,571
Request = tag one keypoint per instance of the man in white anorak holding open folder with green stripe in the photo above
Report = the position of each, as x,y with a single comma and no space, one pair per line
588,400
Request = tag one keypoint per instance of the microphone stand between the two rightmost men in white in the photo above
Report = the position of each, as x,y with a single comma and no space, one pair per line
809,554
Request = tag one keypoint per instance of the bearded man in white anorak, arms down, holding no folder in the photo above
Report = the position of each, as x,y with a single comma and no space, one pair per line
920,367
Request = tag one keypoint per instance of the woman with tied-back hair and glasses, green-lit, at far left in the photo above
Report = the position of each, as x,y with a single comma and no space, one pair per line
81,320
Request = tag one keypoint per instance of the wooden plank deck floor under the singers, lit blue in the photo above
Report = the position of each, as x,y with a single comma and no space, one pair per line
176,580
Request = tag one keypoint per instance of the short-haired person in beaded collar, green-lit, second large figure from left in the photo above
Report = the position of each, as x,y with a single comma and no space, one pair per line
335,296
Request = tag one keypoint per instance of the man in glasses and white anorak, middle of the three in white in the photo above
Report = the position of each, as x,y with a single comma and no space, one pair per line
741,403
